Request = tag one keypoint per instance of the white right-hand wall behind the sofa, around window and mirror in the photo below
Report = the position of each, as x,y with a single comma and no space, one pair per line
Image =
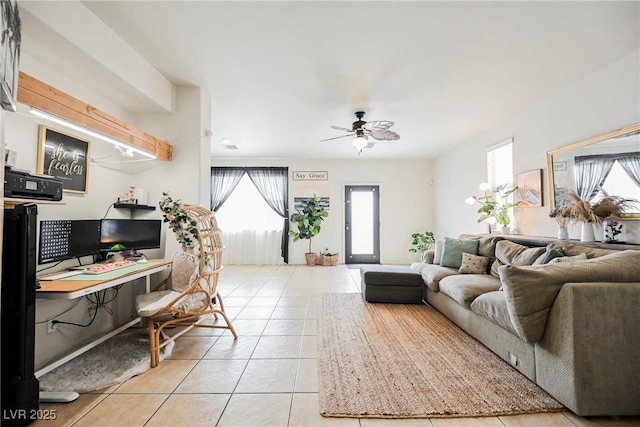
604,101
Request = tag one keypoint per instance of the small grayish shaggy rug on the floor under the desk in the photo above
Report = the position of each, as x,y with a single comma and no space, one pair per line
111,362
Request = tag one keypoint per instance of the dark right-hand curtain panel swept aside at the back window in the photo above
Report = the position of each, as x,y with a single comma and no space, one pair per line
273,185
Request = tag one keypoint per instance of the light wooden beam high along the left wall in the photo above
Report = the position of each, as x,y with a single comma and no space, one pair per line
36,94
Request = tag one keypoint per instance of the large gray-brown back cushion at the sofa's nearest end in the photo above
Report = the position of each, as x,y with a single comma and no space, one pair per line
531,290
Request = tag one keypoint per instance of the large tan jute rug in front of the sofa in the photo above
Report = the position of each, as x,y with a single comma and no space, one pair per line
409,361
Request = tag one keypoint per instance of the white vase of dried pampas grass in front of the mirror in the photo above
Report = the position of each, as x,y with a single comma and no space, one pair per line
589,213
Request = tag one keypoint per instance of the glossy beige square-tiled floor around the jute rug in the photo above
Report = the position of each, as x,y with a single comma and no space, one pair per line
267,377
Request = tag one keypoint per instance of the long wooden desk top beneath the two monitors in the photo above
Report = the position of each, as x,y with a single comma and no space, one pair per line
84,281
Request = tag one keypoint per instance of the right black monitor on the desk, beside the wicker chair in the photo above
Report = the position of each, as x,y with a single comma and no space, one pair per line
129,234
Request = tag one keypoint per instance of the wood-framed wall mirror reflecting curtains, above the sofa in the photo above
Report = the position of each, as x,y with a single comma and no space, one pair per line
605,163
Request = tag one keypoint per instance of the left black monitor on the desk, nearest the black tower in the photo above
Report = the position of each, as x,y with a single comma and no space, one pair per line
67,239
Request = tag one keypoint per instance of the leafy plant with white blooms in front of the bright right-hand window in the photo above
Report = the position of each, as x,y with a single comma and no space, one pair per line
496,204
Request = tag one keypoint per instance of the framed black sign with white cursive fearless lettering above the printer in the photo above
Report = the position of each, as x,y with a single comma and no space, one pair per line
64,157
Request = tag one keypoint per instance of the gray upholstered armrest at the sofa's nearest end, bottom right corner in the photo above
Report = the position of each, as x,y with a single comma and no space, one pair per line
589,356
